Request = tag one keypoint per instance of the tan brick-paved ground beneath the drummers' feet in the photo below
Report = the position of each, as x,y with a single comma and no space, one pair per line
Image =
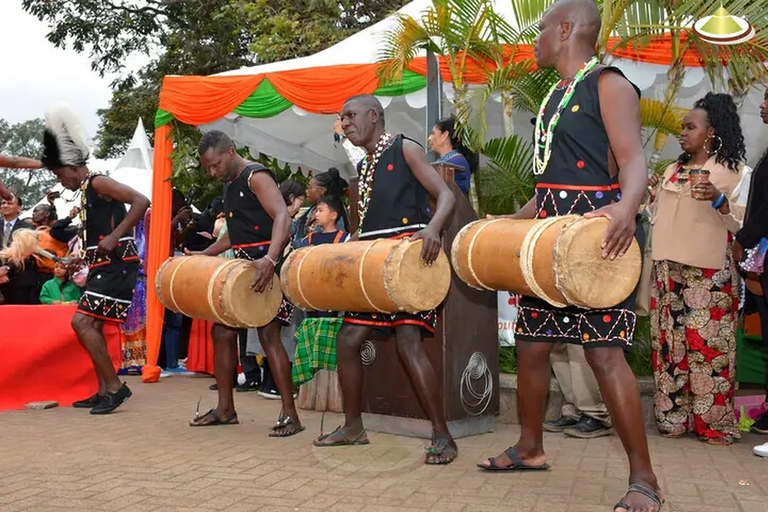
145,458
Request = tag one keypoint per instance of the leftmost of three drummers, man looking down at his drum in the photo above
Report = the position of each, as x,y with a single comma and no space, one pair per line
258,225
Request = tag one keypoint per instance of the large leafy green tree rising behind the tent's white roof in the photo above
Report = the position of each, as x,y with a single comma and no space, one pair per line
192,37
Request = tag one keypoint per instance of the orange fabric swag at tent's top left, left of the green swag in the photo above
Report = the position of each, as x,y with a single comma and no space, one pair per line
197,100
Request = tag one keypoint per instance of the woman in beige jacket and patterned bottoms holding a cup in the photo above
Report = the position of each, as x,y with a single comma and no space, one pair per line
695,295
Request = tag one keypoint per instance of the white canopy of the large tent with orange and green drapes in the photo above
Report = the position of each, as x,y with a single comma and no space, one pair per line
300,138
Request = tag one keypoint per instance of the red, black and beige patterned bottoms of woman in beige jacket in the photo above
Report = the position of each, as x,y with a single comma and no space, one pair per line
693,329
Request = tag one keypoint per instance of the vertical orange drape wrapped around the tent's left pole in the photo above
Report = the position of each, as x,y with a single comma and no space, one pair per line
157,248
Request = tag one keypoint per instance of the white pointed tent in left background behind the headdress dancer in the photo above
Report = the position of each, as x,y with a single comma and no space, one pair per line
133,169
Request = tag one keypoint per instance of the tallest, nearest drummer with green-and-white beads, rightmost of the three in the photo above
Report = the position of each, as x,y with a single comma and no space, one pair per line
589,160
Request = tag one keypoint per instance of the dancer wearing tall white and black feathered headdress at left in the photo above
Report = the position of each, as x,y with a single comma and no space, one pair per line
110,250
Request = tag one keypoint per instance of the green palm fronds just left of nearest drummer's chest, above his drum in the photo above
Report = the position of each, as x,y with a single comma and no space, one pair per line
506,182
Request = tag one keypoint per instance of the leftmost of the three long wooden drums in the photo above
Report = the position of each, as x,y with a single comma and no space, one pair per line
216,289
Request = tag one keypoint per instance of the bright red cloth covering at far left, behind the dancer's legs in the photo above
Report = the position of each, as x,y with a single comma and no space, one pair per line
41,358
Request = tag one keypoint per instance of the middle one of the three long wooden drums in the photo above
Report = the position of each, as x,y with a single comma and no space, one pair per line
379,276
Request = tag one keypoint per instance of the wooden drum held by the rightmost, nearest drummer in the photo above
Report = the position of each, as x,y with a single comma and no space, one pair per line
556,259
